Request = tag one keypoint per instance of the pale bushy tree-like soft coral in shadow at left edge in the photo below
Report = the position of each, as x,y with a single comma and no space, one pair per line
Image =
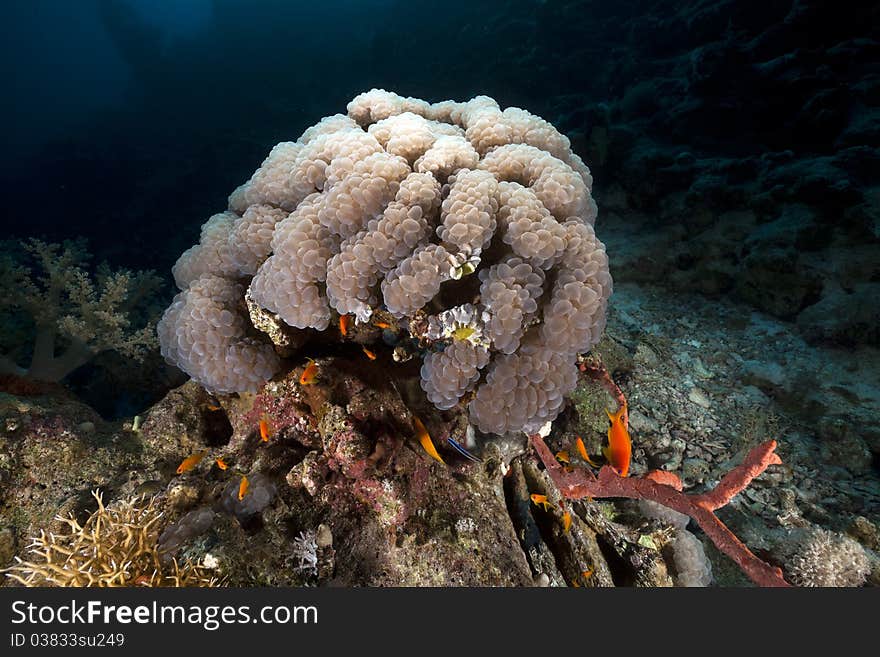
74,313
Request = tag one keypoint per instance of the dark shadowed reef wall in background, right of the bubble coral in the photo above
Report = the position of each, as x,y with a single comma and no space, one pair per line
739,157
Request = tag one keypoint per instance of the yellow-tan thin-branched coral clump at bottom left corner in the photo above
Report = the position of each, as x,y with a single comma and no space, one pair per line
116,546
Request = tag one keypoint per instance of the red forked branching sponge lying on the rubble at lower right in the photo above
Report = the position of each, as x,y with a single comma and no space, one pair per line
665,488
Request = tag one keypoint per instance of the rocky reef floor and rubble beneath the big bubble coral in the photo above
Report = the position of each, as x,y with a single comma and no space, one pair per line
341,492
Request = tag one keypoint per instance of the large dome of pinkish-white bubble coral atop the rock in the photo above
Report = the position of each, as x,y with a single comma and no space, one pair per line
395,206
